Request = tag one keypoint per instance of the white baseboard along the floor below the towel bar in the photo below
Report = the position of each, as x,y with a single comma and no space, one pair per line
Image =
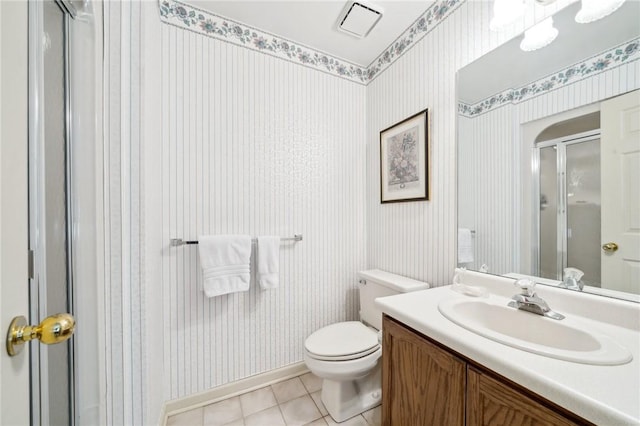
197,400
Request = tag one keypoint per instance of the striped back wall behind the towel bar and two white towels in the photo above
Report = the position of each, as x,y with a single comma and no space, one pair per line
252,144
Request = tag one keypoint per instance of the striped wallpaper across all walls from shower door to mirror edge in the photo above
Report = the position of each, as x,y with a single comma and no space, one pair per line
206,137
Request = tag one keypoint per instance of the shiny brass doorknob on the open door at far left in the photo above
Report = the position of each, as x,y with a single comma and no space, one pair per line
53,329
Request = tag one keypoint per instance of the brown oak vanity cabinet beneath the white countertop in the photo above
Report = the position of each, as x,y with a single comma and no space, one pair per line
425,384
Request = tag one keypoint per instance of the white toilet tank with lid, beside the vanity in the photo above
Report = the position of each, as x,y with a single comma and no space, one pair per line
375,283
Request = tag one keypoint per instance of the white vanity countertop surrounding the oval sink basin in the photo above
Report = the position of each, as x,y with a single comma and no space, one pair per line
604,395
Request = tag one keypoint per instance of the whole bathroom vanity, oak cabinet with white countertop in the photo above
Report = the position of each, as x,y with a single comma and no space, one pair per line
438,372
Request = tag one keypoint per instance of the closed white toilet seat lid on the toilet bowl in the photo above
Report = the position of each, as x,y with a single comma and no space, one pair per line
342,342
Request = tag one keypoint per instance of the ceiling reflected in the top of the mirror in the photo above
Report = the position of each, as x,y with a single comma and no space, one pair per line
508,67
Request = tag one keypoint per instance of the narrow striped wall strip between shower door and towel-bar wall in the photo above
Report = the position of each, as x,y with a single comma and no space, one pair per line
124,322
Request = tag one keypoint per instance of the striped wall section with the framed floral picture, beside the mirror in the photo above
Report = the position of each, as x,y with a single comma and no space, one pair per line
418,239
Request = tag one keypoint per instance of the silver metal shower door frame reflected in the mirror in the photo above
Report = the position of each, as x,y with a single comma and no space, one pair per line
561,196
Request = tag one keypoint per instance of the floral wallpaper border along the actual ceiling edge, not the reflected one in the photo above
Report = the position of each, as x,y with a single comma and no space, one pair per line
182,15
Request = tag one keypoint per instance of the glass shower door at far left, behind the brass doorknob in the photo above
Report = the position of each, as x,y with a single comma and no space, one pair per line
51,293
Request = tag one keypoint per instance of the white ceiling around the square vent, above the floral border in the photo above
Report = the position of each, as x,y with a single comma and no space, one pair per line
314,23
